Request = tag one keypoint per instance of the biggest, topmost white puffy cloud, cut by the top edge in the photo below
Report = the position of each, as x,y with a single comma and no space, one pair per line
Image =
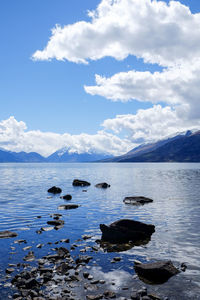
161,33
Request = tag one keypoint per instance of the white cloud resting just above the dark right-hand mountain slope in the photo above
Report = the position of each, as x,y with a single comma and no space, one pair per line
151,124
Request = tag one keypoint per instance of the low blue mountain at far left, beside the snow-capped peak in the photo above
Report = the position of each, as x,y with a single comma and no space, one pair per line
9,156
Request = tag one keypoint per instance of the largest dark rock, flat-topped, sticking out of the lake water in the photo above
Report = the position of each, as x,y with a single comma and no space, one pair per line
126,230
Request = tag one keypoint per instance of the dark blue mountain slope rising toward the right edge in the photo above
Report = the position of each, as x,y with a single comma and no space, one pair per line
184,147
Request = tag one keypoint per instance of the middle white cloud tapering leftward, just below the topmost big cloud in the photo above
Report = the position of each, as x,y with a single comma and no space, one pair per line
175,86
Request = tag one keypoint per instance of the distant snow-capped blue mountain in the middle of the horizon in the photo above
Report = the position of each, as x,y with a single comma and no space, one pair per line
63,155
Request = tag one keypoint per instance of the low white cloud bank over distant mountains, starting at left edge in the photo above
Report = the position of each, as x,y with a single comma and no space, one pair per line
14,136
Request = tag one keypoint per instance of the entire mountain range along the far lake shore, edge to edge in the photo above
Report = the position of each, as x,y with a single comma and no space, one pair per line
182,147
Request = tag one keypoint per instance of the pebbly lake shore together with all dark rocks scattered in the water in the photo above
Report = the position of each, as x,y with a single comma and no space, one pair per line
65,271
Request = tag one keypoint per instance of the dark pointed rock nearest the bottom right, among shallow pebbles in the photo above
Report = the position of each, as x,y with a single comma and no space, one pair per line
157,272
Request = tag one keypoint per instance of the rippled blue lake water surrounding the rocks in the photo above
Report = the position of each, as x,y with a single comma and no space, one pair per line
175,213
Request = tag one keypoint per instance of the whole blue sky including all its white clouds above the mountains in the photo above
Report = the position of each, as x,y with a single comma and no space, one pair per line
97,75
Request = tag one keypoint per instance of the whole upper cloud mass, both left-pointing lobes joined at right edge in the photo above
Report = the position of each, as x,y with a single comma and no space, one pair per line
158,32
